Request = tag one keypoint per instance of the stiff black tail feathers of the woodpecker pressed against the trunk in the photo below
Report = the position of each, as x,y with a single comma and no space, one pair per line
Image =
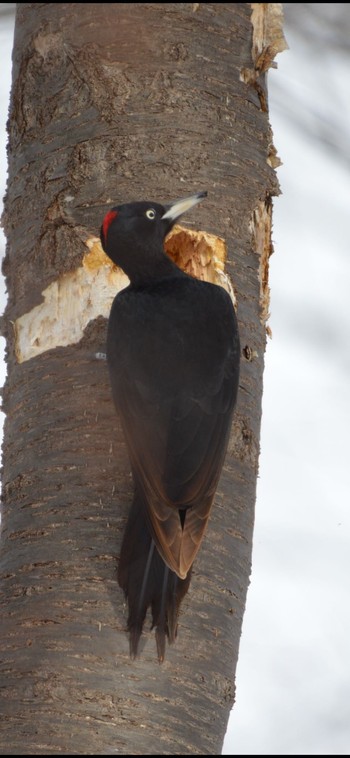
147,581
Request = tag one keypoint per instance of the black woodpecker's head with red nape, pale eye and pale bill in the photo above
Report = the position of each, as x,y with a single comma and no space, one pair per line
133,234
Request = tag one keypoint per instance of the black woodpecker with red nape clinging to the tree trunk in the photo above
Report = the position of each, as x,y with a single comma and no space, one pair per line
173,356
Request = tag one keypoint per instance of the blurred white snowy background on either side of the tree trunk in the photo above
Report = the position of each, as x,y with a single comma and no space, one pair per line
293,677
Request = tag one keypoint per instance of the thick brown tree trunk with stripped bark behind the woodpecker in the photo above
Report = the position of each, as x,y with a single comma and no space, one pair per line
111,103
